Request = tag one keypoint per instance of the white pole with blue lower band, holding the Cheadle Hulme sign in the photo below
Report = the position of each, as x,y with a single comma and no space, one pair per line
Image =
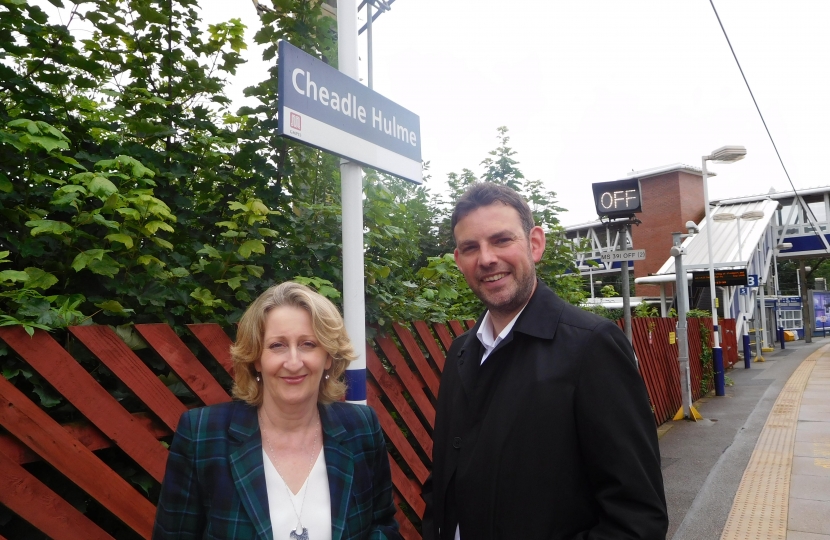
351,187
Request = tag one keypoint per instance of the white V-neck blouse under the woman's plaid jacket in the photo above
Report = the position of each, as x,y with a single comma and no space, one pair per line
315,511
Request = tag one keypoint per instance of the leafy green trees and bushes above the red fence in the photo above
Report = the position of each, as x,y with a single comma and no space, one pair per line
130,193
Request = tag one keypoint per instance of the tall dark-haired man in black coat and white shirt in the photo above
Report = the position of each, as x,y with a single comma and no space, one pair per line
543,428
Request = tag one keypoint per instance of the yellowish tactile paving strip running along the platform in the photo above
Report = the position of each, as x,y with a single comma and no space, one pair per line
760,508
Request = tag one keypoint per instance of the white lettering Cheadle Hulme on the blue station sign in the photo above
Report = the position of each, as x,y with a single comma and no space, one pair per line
347,105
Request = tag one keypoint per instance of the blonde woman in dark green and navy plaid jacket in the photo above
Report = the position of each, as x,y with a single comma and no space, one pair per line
286,459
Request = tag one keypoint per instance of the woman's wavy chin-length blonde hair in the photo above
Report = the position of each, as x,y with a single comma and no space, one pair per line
328,328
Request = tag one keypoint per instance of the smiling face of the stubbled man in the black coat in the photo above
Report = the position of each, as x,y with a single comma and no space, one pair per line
497,258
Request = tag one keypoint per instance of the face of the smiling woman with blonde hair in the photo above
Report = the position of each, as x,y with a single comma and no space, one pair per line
292,361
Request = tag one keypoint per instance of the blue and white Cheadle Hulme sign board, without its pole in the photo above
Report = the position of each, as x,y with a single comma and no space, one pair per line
321,107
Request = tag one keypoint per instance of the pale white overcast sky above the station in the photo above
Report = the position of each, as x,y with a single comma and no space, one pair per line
592,90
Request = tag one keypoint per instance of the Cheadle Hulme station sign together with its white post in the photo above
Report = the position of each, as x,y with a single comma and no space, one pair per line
331,110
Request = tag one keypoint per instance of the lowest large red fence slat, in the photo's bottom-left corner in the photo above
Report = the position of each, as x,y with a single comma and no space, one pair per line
33,501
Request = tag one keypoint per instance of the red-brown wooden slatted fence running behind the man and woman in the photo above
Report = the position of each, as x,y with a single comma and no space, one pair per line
404,371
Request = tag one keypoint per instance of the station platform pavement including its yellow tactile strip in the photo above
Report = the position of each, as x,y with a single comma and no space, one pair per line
758,465
